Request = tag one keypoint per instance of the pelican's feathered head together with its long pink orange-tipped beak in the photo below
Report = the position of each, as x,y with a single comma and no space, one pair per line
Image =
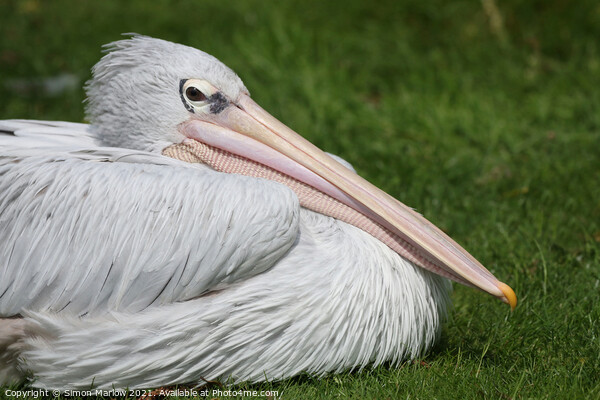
150,94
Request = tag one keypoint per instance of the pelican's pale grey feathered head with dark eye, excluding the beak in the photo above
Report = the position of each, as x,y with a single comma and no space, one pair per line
140,92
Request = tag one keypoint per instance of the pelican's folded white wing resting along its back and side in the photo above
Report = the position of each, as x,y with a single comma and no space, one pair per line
86,229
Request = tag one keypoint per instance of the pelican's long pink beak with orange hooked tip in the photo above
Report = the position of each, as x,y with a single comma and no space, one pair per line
245,129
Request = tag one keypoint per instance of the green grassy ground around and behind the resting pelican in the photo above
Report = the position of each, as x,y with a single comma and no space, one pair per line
484,116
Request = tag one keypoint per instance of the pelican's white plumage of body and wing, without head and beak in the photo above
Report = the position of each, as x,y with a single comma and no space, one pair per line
112,294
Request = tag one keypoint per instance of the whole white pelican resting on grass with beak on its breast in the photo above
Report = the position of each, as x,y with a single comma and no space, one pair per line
188,235
